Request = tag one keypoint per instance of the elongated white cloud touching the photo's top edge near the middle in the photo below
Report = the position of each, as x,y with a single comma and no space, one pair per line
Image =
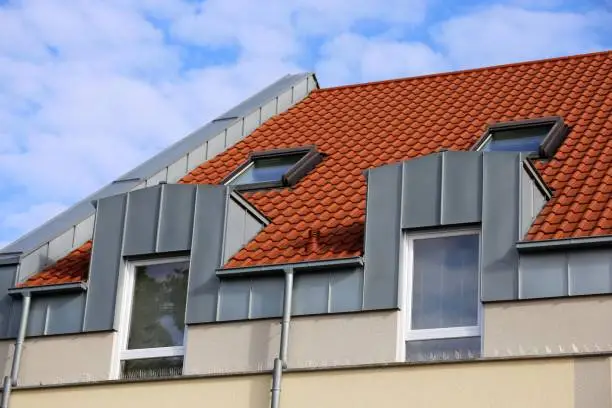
219,22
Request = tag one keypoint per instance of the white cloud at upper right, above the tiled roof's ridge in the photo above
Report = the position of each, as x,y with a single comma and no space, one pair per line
501,34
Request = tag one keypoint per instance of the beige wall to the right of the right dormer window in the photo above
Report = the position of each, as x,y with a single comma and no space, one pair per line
548,326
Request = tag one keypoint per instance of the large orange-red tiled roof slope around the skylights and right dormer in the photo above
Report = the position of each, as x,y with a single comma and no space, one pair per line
368,125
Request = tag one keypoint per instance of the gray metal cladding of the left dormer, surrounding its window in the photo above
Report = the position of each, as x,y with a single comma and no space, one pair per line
162,221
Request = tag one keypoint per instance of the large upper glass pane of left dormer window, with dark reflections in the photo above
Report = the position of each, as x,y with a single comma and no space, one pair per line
158,307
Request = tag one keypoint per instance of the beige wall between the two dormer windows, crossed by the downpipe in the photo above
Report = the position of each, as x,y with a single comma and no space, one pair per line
332,340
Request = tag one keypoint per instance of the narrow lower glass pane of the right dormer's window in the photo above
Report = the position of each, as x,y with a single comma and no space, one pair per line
443,349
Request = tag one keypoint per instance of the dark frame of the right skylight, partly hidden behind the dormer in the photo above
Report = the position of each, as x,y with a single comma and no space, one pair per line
549,145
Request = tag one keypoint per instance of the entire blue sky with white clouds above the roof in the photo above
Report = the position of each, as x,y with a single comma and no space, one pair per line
89,91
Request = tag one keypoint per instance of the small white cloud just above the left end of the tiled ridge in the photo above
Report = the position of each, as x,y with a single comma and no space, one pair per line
354,58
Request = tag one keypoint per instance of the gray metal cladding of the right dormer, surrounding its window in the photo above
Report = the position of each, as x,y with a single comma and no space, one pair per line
445,190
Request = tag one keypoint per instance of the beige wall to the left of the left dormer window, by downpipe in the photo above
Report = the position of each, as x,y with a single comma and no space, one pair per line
62,359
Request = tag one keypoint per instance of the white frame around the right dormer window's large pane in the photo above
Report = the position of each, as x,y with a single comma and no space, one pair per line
440,333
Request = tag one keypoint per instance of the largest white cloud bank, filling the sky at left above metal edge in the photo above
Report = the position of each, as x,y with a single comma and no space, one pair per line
89,91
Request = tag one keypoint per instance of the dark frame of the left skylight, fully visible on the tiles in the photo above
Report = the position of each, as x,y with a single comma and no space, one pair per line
311,157
